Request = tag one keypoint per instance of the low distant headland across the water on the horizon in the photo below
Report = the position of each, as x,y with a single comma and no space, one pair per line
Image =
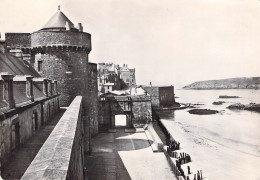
231,83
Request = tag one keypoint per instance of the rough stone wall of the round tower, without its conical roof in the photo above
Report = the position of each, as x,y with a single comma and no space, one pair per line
69,68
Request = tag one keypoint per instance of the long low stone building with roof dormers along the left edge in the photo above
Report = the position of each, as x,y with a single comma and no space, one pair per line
27,102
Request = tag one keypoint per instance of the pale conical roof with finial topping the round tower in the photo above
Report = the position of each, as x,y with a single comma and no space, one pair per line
57,21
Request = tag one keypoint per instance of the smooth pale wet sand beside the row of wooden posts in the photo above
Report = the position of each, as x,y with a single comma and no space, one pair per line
220,158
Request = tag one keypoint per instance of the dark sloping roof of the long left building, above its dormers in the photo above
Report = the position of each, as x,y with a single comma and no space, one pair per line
13,65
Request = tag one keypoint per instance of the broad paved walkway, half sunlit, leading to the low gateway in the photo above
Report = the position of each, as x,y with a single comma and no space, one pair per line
125,156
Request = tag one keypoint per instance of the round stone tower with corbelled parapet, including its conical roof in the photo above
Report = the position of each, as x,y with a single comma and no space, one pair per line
61,53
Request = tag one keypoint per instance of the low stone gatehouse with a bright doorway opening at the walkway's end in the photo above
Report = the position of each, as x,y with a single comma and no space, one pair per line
134,103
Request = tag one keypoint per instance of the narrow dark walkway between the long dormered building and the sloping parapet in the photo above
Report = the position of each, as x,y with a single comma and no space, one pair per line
22,158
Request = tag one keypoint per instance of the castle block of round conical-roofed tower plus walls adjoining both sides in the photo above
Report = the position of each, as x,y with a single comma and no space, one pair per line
59,50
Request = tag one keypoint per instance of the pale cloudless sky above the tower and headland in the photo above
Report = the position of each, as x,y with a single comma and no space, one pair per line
168,42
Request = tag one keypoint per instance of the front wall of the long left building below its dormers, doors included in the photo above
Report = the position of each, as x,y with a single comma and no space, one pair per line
25,117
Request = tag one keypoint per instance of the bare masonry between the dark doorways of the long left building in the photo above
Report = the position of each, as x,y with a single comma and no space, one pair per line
27,125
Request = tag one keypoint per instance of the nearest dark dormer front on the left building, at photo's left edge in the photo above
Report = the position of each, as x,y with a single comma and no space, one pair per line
8,94
